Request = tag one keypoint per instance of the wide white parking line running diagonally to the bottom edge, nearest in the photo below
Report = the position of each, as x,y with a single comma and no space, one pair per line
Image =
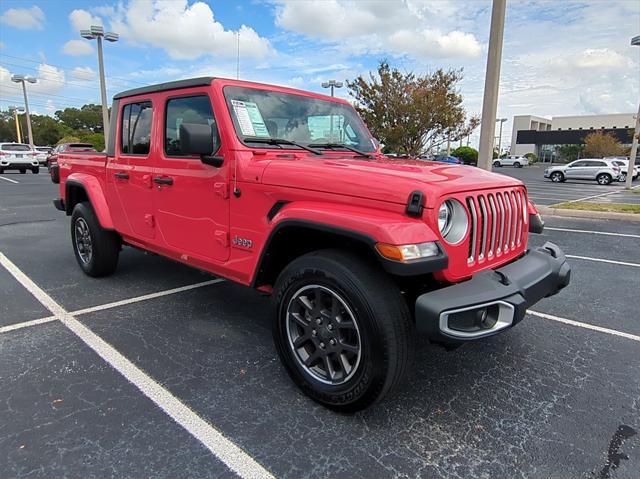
225,450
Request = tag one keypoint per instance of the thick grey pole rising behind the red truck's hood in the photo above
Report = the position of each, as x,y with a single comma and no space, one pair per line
491,84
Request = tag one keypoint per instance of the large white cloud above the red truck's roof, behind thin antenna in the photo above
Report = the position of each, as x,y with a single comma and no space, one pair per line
184,31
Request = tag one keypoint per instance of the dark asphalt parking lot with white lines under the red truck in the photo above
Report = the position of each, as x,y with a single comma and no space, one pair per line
162,371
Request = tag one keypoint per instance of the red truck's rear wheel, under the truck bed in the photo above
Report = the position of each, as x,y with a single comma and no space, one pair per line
96,249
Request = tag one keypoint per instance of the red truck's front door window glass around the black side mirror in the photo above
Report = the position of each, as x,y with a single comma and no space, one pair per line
189,109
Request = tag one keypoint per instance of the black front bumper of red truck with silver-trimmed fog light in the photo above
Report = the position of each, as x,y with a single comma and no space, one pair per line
493,300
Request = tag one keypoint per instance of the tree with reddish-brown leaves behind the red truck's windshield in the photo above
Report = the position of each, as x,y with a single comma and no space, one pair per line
410,113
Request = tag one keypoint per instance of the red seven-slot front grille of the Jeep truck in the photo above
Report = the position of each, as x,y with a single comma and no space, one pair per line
497,223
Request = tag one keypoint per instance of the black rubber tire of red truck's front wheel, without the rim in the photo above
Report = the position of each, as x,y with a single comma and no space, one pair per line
380,312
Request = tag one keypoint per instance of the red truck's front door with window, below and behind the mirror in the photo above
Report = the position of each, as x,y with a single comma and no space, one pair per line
191,198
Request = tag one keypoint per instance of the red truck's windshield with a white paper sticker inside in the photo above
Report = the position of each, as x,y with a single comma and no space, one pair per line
268,114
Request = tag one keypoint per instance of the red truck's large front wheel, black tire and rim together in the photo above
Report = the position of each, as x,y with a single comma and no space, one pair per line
342,329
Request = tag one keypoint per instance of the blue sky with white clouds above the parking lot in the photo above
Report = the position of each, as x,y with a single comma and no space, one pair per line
560,57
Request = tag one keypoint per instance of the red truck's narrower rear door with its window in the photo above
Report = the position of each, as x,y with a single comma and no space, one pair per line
129,173
